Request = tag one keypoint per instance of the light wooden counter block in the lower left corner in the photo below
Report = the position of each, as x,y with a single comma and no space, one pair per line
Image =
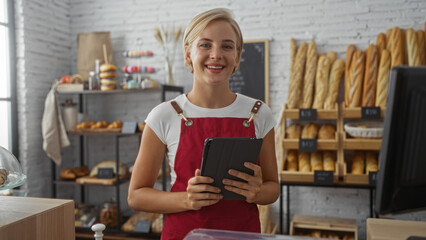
24,218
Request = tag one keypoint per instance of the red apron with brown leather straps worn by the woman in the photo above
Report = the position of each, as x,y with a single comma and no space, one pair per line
237,215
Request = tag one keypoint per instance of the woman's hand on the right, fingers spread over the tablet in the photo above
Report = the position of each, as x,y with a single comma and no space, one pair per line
249,189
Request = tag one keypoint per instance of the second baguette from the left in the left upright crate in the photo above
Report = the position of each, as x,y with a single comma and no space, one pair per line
309,79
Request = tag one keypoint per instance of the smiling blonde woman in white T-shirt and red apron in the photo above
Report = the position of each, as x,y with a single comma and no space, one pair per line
212,50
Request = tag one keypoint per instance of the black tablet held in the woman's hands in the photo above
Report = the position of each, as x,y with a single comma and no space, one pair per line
222,154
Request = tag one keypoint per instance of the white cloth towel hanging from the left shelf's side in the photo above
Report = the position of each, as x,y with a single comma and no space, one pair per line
52,126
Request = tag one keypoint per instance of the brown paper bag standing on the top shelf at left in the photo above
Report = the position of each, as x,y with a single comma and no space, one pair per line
90,48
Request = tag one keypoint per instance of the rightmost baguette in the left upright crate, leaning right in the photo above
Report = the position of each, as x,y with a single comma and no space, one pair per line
333,83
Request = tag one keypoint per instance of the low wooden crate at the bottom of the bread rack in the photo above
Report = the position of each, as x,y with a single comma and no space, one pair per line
323,227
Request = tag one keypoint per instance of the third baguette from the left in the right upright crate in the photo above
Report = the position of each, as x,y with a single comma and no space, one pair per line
370,78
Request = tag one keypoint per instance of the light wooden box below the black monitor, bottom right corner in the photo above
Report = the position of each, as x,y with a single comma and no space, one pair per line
381,229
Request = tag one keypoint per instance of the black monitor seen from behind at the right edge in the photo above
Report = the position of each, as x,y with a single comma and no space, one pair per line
401,179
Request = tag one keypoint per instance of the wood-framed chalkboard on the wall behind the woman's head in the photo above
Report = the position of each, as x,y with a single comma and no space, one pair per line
252,76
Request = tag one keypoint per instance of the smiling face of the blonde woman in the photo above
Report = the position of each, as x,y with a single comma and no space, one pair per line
213,53
